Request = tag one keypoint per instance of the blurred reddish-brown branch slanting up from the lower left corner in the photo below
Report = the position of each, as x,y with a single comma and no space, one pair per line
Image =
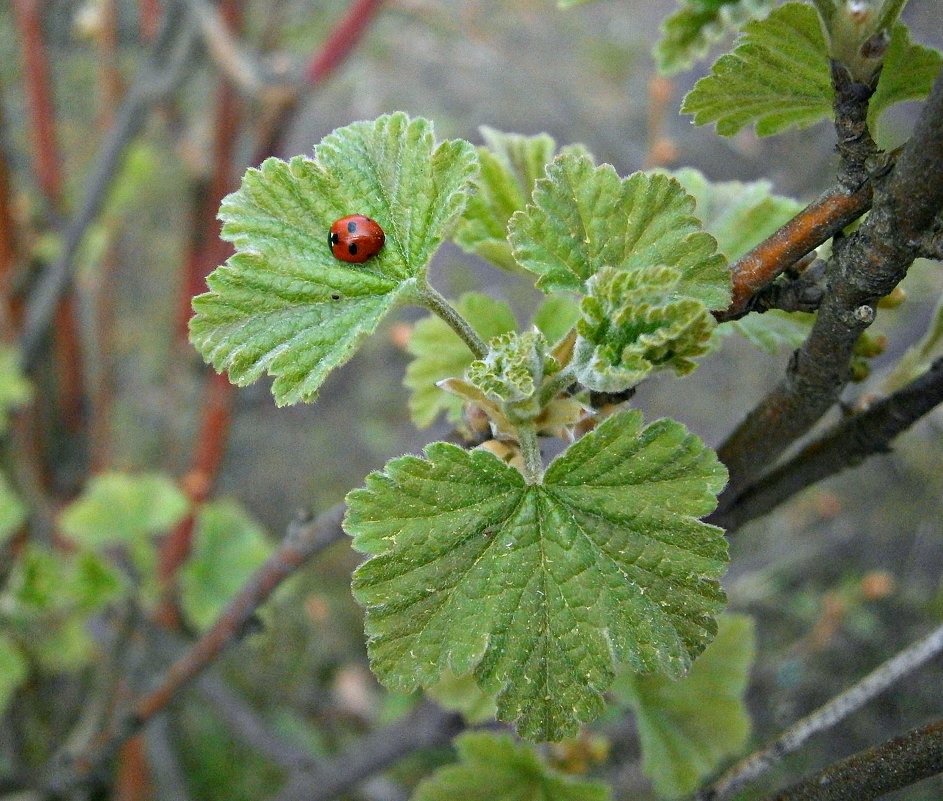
305,538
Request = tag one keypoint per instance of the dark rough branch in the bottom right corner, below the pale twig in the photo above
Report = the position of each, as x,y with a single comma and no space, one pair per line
869,774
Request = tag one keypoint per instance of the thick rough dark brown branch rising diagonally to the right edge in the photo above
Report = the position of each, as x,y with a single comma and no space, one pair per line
863,268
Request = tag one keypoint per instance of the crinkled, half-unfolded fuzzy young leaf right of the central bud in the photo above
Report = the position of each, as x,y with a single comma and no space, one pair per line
634,322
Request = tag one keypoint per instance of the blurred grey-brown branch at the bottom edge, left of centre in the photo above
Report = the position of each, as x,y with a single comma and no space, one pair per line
426,727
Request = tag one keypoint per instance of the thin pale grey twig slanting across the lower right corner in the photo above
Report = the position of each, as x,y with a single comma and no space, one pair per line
825,717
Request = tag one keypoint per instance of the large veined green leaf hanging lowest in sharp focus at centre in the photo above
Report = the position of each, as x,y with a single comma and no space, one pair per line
539,588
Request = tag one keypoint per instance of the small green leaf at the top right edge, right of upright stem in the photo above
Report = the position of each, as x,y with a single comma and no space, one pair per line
908,74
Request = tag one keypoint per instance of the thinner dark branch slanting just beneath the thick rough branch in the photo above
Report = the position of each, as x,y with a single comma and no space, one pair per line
846,445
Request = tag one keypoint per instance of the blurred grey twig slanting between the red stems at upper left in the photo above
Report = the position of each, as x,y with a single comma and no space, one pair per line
159,75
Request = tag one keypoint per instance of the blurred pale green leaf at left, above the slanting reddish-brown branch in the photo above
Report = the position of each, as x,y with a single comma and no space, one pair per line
118,508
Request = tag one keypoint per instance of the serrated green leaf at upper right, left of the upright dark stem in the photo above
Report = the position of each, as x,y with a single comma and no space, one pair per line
778,77
